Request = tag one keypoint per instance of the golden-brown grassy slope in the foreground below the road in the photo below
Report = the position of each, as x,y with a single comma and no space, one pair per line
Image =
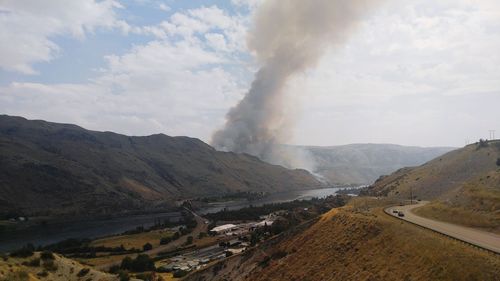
359,242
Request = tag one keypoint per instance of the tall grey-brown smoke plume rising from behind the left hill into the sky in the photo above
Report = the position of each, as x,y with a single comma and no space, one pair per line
288,37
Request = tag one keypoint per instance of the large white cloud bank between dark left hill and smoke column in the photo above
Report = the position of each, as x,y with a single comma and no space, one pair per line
175,84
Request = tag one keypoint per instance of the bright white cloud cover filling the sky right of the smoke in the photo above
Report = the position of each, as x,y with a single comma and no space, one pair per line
421,73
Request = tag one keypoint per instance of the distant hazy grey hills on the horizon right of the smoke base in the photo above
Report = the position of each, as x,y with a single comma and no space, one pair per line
360,164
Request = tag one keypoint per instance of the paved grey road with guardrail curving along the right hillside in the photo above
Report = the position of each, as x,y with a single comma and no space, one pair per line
473,236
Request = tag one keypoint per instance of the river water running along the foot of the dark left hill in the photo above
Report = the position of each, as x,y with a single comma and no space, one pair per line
54,232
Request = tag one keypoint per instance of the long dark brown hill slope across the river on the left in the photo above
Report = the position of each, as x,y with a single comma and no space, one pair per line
48,168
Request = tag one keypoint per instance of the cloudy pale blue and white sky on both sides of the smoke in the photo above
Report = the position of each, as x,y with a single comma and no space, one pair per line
414,72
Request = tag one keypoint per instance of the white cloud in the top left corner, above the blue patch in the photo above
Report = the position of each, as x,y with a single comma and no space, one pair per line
26,28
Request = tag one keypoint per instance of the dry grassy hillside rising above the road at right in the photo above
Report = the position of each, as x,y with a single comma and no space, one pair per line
463,185
